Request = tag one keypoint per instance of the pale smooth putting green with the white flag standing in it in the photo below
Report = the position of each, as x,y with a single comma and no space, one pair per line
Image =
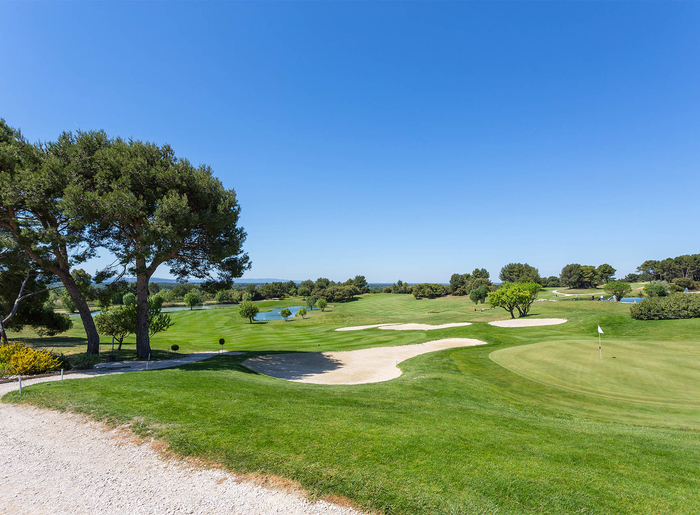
662,373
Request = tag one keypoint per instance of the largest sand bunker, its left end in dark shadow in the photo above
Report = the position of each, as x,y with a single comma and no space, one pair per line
348,367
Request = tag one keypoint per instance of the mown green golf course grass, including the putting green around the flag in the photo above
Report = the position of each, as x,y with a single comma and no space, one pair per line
457,432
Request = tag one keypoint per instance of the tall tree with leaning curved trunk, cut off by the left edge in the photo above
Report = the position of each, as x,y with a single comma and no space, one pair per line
34,180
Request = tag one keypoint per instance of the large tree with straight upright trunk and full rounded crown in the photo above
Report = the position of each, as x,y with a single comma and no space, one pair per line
149,207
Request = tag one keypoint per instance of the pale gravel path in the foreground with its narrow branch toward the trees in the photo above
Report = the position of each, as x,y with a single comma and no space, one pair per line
58,463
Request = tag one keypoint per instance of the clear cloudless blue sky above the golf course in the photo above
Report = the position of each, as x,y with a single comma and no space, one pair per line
394,140
